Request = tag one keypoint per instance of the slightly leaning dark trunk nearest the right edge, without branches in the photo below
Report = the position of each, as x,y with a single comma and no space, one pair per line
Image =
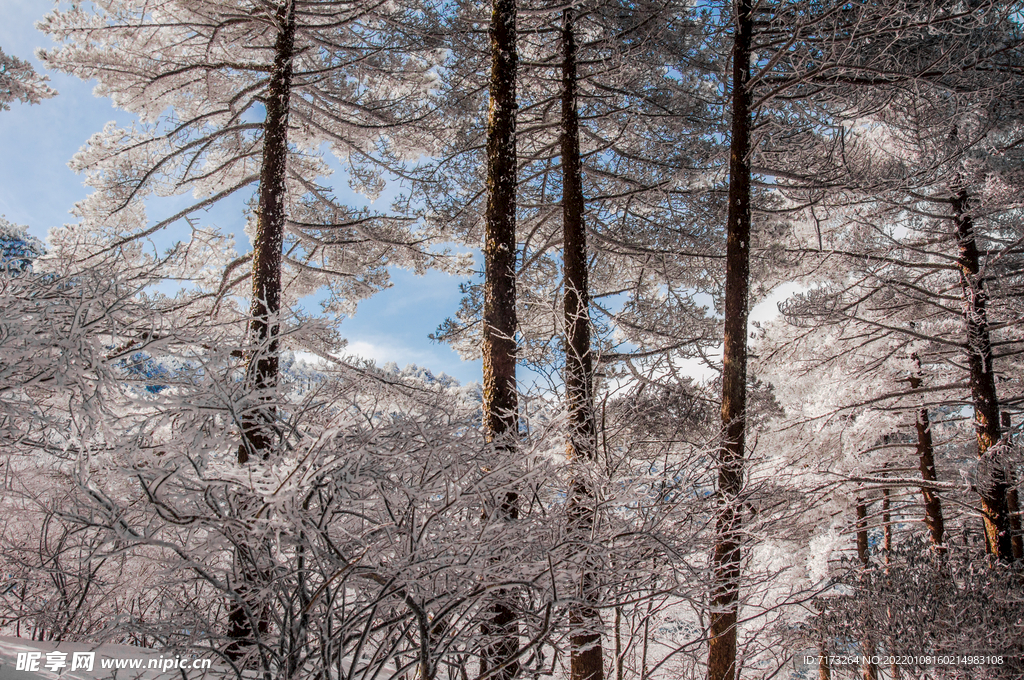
992,475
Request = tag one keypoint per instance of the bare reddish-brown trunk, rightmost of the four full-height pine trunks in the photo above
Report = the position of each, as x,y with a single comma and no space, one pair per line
727,559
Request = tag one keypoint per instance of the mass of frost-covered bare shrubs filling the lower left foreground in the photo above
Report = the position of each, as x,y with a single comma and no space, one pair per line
374,538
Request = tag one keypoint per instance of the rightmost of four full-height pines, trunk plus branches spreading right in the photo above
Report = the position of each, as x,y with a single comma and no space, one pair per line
818,68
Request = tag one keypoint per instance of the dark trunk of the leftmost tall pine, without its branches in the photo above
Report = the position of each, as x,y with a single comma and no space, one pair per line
263,363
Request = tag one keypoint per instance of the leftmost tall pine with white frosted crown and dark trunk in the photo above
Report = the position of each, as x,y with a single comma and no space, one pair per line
237,98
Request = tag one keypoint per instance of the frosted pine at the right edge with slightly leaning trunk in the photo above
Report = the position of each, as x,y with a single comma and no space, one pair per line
933,217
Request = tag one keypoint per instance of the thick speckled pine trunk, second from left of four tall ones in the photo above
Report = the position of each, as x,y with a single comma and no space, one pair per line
500,398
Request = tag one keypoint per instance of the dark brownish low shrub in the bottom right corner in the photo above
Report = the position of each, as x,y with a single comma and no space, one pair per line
914,602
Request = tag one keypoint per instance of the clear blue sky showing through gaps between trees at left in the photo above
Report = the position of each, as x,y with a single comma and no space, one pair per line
38,190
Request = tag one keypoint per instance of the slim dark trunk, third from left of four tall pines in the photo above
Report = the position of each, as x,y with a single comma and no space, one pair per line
586,653
